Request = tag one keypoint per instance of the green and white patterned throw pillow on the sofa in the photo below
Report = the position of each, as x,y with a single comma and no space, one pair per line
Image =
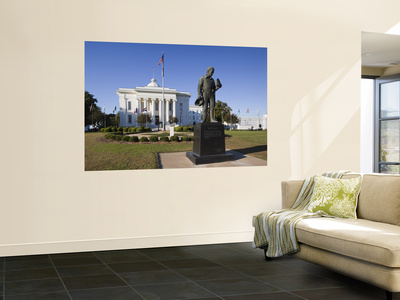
335,197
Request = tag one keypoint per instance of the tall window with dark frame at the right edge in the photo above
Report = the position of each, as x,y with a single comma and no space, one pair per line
387,125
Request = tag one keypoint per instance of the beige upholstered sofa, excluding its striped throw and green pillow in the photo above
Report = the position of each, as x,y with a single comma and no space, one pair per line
368,248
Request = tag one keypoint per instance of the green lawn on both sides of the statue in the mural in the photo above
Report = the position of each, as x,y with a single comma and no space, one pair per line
102,154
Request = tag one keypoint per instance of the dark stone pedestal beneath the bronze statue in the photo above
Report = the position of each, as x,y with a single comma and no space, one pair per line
208,144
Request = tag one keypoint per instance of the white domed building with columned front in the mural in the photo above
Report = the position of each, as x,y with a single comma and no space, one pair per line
160,103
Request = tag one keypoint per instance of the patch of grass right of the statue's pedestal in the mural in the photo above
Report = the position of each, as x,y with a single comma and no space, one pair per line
253,143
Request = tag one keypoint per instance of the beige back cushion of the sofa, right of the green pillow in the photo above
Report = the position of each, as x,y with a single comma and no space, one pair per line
379,198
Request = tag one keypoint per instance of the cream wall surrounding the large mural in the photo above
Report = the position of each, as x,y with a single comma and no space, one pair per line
50,204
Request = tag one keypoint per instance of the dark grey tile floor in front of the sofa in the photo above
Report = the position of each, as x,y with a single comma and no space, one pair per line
209,272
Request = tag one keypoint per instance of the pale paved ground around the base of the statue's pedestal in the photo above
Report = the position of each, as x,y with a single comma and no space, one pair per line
179,160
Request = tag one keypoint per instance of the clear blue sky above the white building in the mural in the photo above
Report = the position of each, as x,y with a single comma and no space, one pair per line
241,70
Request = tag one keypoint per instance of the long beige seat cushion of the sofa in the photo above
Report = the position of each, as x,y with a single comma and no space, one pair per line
361,239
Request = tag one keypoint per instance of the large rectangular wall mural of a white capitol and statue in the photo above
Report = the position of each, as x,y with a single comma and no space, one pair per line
162,106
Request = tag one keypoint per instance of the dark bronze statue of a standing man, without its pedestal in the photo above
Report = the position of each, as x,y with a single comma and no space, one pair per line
206,93
